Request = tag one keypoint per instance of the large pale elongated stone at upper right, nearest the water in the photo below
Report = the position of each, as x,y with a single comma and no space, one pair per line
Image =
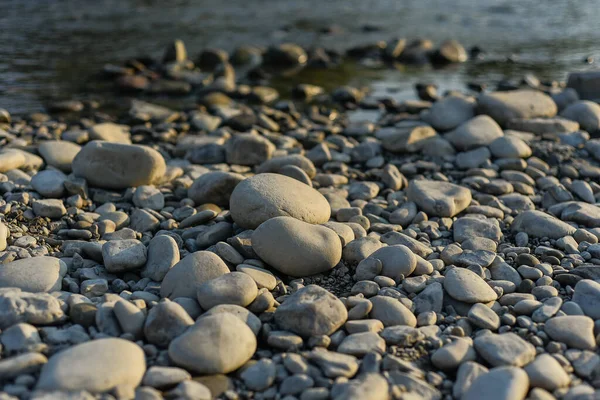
504,106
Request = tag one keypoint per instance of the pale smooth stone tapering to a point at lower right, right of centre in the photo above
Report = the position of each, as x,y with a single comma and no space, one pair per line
464,285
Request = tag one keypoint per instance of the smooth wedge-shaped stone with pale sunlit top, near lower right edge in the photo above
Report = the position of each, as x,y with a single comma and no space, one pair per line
575,331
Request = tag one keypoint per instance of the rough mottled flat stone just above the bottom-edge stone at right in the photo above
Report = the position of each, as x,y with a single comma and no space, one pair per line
504,349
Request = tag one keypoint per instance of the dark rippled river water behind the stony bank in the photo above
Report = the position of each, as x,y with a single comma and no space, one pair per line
50,49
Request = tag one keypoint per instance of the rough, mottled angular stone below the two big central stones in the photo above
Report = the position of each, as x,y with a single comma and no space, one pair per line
311,311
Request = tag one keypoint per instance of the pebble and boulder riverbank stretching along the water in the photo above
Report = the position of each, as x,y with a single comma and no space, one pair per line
334,246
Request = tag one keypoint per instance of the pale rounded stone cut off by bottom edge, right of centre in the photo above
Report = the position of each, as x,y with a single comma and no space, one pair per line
503,383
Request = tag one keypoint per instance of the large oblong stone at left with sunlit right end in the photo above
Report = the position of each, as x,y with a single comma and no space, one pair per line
118,166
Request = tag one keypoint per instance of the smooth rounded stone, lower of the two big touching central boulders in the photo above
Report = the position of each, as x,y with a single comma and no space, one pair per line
297,248
